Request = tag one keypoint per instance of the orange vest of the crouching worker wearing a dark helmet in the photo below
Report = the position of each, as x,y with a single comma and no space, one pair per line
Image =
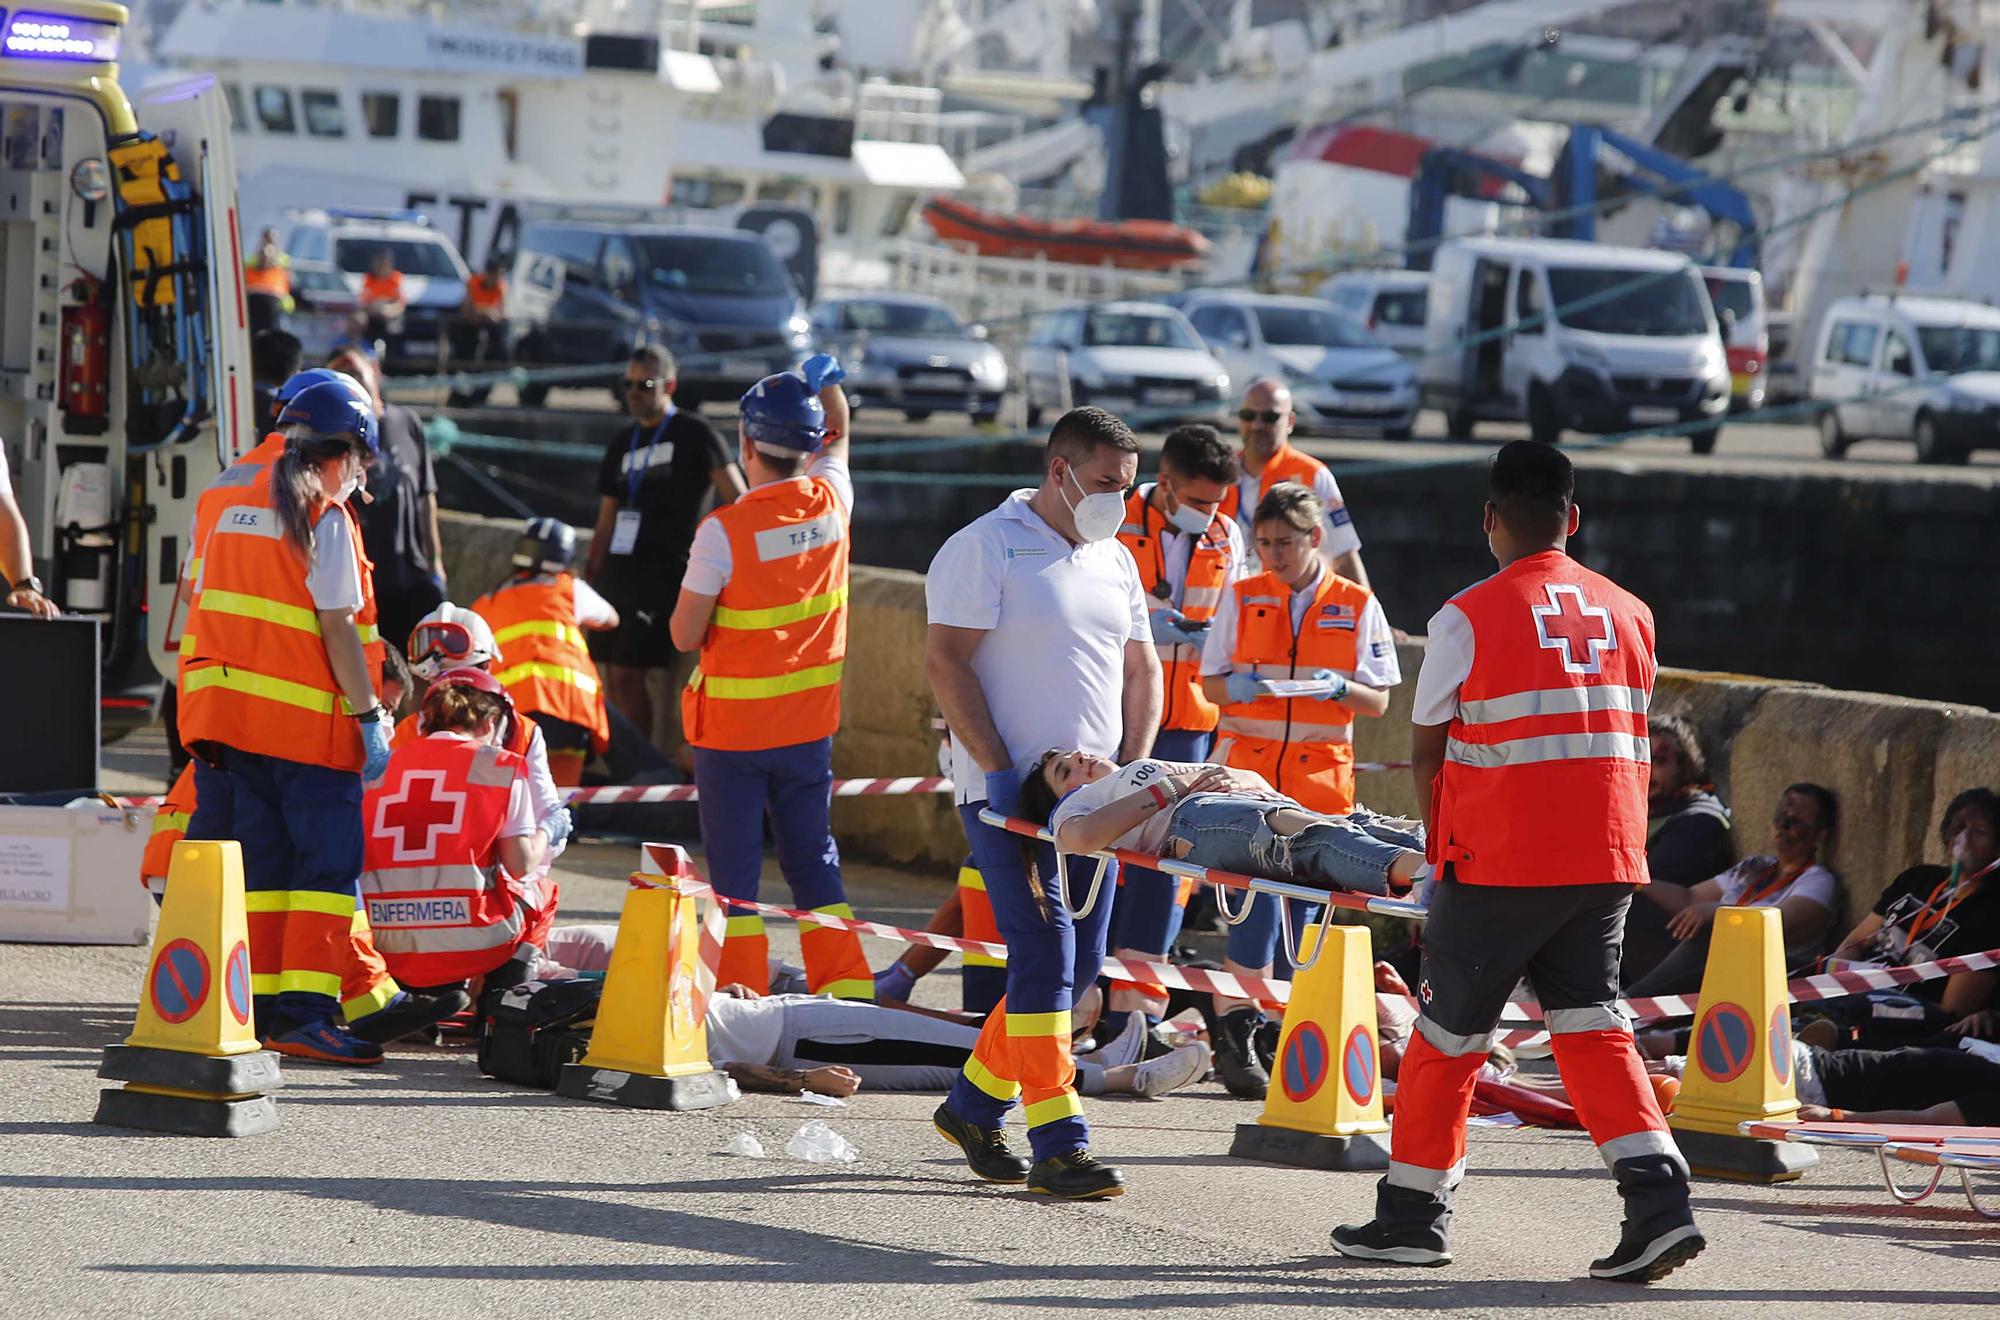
545,661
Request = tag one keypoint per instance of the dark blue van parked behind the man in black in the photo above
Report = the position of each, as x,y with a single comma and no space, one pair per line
719,299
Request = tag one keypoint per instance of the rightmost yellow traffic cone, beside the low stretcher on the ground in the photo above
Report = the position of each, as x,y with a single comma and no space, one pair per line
1741,1057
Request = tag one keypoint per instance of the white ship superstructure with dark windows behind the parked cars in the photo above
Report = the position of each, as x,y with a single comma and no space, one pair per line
391,109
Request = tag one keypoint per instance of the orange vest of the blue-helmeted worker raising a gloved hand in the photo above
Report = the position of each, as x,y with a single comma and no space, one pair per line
771,663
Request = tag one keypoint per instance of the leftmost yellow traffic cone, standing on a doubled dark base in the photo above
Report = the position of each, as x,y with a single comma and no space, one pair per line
193,1061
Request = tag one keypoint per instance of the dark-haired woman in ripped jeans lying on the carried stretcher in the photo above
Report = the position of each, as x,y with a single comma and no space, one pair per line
1219,817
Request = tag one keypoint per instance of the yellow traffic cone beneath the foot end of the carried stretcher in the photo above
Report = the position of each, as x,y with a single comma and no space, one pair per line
1325,1103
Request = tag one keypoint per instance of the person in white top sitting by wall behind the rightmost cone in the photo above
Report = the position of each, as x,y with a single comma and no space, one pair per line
1789,879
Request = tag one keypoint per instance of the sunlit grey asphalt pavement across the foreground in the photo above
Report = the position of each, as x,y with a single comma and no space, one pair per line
423,1189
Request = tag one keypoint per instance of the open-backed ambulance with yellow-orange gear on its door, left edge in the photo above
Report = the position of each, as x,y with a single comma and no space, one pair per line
125,355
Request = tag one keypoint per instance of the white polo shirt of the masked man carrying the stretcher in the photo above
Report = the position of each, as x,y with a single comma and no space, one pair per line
1057,623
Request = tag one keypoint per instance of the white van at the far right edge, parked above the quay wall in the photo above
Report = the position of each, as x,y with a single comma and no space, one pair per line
1909,369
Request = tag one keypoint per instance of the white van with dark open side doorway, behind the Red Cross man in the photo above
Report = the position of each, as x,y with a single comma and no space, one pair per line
1571,337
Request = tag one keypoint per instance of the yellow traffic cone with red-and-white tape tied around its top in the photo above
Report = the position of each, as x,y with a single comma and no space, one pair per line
649,1047
